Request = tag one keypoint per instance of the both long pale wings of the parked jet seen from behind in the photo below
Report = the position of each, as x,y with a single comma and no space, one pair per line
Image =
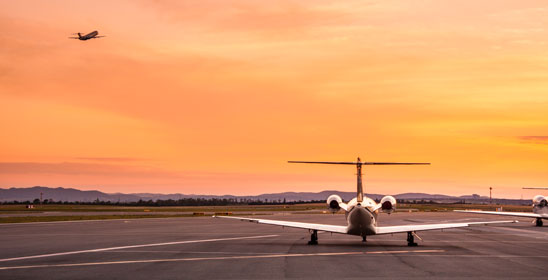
343,229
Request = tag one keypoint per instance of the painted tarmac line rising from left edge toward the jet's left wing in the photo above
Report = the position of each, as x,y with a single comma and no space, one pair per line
135,246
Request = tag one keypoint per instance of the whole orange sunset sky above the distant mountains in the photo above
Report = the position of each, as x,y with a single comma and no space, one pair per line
213,97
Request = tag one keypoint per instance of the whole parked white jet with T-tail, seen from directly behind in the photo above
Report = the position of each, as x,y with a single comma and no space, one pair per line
361,213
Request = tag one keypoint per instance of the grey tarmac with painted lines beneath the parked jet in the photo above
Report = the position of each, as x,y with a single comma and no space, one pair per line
207,248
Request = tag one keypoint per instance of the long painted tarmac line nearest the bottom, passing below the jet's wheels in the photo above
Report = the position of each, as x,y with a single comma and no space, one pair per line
215,258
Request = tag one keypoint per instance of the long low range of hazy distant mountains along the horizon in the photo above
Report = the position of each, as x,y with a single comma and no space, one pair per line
69,194
